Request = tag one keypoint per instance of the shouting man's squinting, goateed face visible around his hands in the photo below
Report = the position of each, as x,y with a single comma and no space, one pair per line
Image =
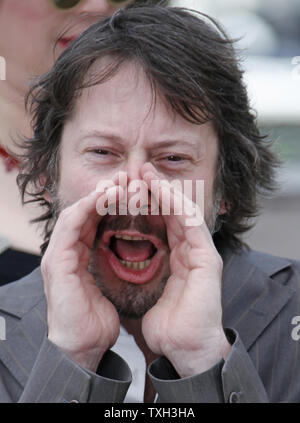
117,127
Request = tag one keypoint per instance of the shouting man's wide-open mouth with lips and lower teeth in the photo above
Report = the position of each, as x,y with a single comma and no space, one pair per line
133,257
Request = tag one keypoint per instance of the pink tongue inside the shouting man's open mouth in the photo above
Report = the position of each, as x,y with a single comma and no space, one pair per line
132,250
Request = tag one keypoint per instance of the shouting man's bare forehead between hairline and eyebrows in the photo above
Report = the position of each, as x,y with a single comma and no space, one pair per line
134,130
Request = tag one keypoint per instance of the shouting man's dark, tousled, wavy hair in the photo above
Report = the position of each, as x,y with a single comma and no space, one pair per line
187,58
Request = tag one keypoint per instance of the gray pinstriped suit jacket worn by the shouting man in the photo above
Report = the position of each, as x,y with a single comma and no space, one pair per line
260,296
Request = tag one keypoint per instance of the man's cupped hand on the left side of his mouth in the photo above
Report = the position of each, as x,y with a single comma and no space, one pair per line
81,321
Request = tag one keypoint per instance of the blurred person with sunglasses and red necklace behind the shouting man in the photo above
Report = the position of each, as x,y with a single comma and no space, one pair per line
33,33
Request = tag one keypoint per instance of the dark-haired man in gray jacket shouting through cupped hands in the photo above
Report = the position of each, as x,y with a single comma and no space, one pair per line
144,99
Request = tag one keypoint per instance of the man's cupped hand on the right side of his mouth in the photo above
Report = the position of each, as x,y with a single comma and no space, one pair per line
185,325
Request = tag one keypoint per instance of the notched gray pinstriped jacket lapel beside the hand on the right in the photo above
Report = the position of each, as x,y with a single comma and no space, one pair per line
251,297
